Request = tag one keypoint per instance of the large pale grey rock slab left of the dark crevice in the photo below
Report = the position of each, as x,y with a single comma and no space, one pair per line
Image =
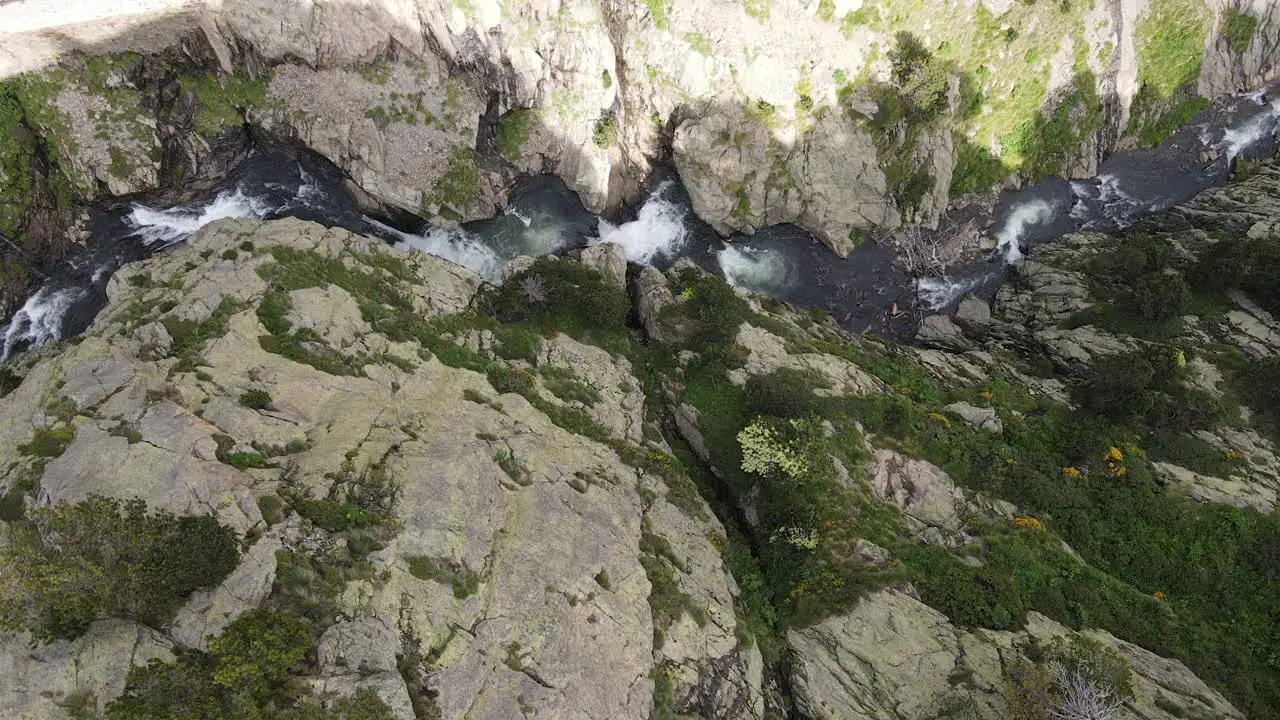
515,618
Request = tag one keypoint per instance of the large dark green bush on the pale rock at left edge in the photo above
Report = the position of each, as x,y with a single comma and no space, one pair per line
70,564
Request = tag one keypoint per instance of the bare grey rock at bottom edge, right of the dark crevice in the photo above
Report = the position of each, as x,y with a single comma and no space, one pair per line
849,668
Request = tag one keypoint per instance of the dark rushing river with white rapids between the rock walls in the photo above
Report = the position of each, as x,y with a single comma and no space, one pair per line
865,291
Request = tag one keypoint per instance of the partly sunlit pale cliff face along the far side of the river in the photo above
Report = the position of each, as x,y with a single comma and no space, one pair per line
816,112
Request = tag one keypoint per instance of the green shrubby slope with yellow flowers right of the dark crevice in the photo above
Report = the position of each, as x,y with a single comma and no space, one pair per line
1084,477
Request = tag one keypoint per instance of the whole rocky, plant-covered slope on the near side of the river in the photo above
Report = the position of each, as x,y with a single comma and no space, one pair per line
481,503
